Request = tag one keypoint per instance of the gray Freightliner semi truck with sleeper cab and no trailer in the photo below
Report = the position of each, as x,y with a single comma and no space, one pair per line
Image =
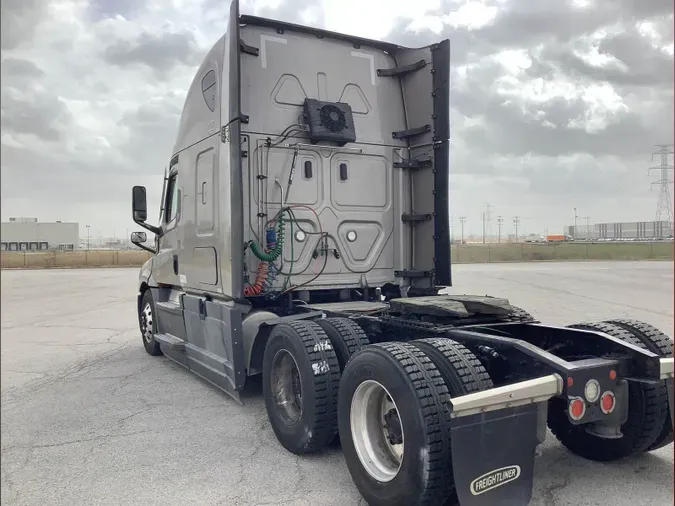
304,236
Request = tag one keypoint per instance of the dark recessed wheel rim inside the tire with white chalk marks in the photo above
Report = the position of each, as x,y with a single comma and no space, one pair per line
286,387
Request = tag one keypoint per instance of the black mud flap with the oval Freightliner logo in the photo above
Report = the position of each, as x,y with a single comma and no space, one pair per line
493,456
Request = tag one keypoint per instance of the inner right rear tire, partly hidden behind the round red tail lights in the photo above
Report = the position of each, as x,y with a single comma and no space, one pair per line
645,415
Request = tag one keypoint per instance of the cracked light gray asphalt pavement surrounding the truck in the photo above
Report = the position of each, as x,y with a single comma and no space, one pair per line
89,418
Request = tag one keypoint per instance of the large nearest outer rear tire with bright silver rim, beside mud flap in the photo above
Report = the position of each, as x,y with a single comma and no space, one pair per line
402,373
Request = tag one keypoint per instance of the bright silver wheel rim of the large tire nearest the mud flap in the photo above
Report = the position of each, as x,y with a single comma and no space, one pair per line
379,457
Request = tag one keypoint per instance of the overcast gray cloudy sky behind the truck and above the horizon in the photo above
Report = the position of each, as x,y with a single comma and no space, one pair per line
556,104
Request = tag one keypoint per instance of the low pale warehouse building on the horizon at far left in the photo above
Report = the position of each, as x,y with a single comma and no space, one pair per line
27,234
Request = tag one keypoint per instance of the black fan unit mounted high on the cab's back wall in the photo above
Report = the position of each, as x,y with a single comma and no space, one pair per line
329,121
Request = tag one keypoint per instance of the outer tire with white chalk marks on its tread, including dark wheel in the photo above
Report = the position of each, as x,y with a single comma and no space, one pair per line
299,354
